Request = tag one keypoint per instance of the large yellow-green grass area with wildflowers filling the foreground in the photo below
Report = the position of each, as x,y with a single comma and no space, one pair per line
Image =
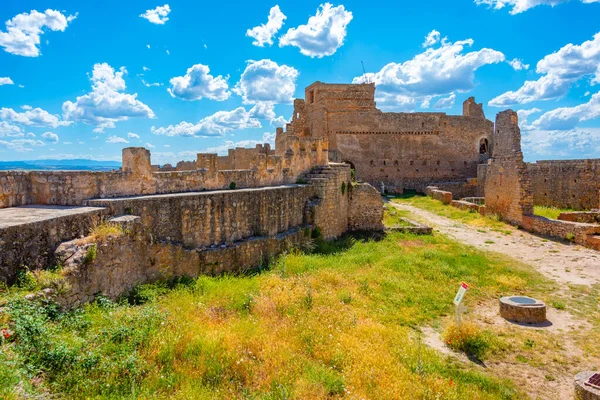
342,322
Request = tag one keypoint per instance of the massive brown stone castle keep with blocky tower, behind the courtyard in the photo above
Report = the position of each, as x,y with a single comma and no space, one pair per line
402,150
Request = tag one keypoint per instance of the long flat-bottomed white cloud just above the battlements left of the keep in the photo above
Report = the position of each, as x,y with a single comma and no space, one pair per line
217,124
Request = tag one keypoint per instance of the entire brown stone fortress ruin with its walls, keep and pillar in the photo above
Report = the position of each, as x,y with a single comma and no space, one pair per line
230,213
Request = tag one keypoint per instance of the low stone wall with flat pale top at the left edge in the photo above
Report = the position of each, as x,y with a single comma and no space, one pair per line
32,244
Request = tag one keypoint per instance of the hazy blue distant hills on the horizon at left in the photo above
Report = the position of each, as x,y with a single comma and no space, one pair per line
56,165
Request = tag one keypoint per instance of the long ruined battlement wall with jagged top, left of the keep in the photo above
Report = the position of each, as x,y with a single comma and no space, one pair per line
138,177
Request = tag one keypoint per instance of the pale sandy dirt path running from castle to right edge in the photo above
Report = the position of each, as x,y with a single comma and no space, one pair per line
565,263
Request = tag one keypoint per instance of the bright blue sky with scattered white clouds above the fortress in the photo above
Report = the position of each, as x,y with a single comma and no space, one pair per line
85,79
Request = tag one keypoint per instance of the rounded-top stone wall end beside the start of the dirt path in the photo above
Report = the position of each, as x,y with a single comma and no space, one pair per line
366,208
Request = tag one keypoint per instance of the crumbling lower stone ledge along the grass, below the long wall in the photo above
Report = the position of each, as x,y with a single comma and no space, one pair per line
134,258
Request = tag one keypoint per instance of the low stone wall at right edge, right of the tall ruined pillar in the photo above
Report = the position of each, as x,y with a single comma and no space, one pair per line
573,231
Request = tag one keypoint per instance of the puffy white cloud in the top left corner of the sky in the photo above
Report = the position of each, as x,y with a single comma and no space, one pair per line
22,35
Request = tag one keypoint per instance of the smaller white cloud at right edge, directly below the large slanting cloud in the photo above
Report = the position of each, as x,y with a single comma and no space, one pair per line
566,118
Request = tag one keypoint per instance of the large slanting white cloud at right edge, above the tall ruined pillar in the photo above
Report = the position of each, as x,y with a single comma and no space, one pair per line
560,70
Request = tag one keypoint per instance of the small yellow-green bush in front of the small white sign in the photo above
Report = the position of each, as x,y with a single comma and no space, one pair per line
468,339
